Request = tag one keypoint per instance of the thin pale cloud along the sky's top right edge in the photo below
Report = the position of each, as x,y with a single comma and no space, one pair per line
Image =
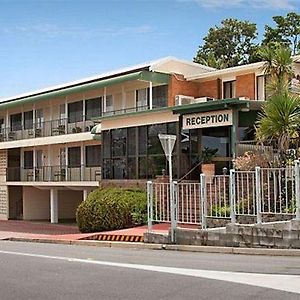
269,4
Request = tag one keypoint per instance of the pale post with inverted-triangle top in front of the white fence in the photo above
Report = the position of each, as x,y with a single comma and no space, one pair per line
168,142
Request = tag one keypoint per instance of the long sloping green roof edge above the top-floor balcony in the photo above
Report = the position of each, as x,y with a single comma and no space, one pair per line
154,77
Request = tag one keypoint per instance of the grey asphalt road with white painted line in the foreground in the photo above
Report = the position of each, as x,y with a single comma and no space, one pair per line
49,271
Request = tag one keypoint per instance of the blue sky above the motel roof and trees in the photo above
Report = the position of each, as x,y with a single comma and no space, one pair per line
48,42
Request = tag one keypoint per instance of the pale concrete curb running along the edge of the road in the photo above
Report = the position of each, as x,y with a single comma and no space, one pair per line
146,246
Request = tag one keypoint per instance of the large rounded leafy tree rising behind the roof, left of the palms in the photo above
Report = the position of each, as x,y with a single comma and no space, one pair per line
232,42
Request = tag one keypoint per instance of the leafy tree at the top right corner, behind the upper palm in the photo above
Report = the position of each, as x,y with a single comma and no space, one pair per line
286,31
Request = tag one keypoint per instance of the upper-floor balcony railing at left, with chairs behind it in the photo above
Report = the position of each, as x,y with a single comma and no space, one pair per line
44,129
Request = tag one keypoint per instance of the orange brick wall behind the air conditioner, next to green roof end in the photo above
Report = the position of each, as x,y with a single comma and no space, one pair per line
179,86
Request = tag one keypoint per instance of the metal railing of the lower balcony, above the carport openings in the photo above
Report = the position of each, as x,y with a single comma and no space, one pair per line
54,174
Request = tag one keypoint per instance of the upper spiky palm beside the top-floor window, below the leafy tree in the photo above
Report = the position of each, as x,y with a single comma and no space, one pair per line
278,67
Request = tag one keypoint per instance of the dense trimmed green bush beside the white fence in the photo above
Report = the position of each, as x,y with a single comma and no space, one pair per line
113,208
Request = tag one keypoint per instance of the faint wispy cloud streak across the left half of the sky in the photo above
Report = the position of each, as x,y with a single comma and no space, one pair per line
53,31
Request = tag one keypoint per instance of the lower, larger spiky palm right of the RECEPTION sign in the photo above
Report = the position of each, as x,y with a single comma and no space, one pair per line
279,121
